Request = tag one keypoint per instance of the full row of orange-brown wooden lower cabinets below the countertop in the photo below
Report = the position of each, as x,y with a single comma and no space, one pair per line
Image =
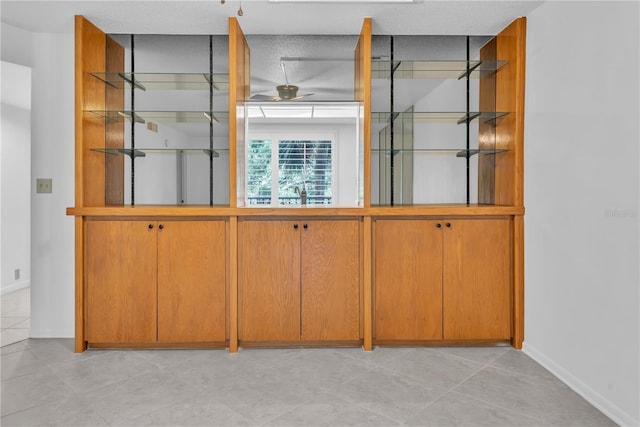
296,282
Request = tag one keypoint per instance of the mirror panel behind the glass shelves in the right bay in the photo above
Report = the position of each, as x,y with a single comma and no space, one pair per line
427,118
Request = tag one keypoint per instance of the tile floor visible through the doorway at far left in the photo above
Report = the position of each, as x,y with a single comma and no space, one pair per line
15,310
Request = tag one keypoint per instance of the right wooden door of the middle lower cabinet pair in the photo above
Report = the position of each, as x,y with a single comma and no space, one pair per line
330,299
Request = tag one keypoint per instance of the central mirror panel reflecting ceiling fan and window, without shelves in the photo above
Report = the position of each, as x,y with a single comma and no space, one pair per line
303,126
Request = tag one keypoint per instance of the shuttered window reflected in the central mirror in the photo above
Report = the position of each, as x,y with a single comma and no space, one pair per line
303,163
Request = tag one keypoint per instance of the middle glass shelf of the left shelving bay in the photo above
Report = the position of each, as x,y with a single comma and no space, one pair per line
164,116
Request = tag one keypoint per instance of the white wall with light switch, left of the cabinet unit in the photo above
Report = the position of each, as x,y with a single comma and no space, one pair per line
52,156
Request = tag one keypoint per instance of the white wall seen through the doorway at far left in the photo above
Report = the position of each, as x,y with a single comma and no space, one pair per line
15,176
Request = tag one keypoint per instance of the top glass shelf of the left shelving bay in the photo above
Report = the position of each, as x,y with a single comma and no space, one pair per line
165,81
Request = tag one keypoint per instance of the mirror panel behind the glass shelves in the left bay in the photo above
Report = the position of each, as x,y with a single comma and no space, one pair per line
175,119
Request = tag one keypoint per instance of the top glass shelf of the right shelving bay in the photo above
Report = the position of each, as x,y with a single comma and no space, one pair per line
384,69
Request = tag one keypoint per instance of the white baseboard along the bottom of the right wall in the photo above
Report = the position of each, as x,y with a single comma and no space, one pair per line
603,404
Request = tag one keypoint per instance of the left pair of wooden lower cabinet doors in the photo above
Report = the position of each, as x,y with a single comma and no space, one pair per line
155,281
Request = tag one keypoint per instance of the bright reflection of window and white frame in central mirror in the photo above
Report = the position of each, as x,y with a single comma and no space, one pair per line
303,153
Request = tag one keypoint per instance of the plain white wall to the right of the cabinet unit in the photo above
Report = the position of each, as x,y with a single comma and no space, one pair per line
581,196
